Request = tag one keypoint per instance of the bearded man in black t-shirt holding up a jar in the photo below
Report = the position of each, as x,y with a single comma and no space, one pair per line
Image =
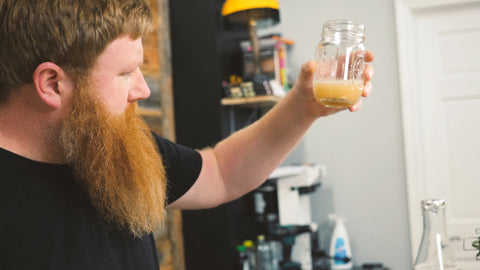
84,182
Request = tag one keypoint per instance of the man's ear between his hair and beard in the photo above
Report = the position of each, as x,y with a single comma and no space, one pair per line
52,84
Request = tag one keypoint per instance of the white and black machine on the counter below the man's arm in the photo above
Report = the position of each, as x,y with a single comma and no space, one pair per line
282,206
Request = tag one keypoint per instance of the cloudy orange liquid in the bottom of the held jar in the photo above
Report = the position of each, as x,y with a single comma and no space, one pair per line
338,93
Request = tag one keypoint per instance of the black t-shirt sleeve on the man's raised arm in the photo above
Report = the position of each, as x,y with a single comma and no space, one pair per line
182,167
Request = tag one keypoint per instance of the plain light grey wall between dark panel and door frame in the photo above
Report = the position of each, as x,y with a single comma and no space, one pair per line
363,151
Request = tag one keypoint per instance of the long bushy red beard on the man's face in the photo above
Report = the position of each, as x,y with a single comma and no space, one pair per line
117,160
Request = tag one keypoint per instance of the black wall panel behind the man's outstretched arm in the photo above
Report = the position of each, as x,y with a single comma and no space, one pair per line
204,55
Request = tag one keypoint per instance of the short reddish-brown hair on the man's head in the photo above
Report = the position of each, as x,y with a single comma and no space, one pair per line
70,33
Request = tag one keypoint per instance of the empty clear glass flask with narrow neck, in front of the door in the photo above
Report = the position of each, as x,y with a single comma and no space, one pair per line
435,251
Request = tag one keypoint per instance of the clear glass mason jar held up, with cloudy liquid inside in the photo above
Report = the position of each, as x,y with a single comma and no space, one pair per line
338,77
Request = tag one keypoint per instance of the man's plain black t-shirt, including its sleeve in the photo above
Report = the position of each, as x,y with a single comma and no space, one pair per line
47,222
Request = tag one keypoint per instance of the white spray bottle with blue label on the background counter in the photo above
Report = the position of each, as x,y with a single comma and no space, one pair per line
340,251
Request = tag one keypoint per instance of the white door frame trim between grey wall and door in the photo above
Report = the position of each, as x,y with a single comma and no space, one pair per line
406,14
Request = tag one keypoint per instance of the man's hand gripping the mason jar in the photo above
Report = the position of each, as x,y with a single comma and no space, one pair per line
304,88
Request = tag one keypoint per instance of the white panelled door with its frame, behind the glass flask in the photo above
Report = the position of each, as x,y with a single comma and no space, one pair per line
439,57
